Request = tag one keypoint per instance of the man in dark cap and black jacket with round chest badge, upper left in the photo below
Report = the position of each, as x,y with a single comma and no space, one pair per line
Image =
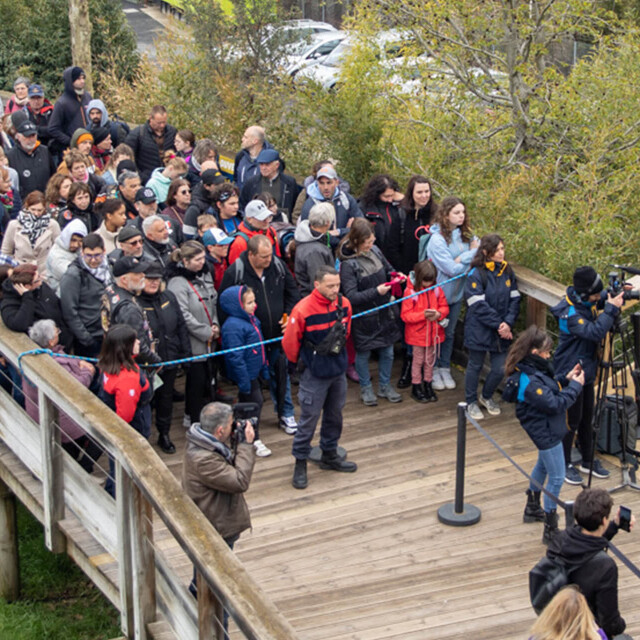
30,159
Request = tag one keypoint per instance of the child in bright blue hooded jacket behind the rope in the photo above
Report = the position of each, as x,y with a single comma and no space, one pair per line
245,366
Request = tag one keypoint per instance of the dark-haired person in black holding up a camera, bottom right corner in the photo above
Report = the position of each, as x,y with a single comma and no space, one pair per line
583,549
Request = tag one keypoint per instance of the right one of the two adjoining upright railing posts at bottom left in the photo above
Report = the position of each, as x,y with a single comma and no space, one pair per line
143,562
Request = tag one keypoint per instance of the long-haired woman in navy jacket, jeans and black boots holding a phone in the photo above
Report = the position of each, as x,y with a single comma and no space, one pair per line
541,404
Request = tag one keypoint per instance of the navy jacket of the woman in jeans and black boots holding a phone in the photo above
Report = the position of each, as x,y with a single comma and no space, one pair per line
541,403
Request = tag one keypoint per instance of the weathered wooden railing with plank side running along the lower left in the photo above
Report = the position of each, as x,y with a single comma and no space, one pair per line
145,489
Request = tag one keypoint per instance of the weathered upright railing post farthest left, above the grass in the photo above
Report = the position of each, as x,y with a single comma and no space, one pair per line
52,474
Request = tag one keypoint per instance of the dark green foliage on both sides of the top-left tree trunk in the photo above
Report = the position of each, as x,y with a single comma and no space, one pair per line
35,40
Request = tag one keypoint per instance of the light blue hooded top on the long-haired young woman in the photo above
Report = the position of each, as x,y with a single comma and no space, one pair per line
443,254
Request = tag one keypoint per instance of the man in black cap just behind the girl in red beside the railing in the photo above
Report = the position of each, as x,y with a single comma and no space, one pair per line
120,305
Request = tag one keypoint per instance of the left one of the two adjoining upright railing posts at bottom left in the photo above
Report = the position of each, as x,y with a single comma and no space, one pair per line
123,512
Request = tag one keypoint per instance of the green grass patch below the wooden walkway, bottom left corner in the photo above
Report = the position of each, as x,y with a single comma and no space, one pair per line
57,601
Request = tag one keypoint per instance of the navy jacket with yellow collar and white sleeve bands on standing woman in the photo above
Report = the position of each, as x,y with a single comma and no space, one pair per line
492,297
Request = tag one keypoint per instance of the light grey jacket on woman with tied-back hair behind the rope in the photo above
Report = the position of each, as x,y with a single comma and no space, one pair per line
197,299
